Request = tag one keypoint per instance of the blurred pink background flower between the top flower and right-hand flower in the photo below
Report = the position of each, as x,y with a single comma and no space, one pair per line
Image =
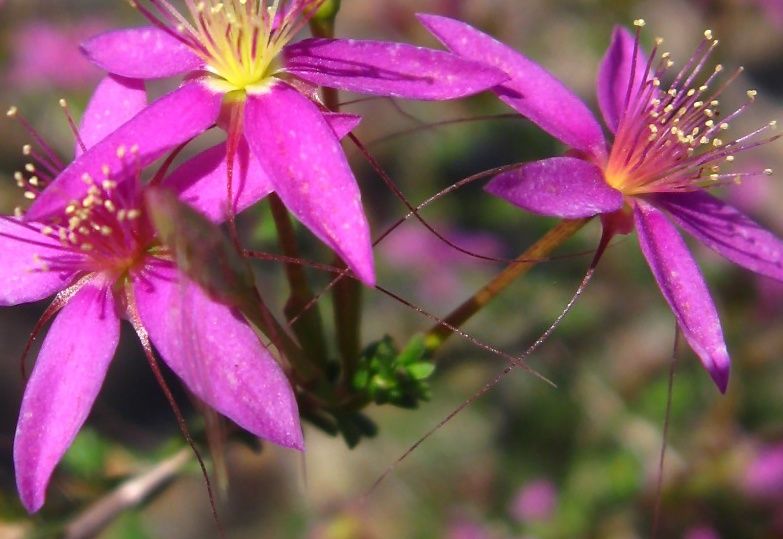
415,249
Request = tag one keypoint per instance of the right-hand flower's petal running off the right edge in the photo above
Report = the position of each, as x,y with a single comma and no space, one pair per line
726,230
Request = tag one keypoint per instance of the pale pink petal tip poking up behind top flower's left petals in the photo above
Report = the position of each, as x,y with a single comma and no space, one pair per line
115,101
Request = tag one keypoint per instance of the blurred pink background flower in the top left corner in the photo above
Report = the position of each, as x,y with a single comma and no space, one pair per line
43,54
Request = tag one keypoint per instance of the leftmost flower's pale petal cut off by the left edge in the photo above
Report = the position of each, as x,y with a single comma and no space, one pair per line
25,257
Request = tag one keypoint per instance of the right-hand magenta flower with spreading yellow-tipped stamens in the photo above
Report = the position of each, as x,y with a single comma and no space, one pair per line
668,147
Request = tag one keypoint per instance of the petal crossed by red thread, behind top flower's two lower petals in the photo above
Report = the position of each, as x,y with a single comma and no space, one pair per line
202,181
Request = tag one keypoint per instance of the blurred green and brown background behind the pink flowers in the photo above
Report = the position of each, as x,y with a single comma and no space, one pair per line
526,460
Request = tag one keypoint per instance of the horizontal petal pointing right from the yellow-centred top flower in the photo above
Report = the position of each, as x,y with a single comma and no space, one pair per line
393,69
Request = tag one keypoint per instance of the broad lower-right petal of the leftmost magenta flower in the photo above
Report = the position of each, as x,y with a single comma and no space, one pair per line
218,356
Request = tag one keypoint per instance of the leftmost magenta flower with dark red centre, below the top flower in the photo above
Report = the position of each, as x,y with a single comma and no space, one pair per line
101,257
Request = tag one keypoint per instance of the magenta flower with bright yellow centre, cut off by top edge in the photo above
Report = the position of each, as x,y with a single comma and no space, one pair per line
243,73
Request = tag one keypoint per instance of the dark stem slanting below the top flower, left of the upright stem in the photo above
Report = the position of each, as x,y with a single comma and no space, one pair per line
308,327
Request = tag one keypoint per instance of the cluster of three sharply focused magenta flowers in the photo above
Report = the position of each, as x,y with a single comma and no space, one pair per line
88,236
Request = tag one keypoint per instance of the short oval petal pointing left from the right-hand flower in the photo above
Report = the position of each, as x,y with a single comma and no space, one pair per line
560,187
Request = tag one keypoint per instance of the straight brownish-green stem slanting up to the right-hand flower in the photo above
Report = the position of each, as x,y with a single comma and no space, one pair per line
536,253
